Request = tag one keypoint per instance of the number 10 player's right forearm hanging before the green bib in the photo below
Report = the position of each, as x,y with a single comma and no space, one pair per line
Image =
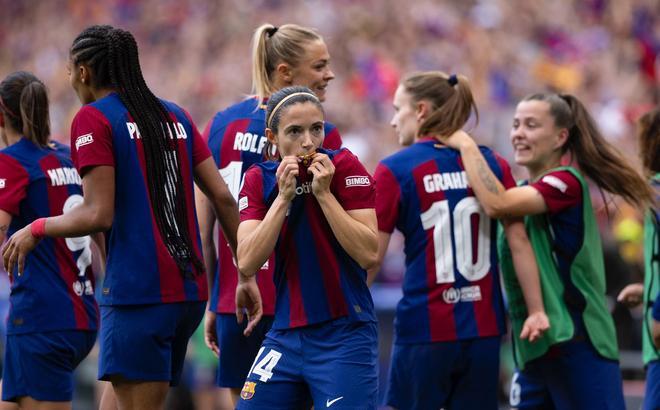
525,265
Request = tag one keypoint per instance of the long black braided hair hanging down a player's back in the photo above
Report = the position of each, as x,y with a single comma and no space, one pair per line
112,55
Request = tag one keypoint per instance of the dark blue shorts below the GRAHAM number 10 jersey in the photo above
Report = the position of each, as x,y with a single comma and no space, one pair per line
455,375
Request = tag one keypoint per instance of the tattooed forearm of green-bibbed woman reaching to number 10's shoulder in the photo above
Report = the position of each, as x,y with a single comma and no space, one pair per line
488,189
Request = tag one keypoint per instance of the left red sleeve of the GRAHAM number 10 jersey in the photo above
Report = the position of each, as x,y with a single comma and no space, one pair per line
388,197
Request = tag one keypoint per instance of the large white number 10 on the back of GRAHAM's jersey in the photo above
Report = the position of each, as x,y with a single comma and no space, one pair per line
440,219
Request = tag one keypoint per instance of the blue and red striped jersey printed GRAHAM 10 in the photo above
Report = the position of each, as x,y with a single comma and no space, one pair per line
451,287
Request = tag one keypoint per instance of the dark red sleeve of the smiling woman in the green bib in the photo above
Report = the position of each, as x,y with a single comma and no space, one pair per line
560,190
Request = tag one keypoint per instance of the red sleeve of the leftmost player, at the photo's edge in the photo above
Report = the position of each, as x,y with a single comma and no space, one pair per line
14,180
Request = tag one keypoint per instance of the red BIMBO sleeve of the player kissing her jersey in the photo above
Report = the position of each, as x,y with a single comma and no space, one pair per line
352,184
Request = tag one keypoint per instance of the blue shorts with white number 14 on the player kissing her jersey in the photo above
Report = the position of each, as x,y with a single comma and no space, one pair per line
332,365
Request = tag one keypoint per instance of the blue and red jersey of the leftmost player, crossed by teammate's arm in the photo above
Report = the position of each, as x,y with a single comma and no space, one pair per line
56,289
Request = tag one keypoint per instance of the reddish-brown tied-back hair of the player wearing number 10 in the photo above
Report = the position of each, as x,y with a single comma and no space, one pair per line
450,97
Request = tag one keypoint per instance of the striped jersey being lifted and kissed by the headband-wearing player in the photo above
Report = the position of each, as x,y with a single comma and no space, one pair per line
315,278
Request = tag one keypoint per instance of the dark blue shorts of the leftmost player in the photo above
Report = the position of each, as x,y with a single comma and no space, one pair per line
41,365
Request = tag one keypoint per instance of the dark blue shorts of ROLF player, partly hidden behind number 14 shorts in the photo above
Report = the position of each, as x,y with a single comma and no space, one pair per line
237,352
